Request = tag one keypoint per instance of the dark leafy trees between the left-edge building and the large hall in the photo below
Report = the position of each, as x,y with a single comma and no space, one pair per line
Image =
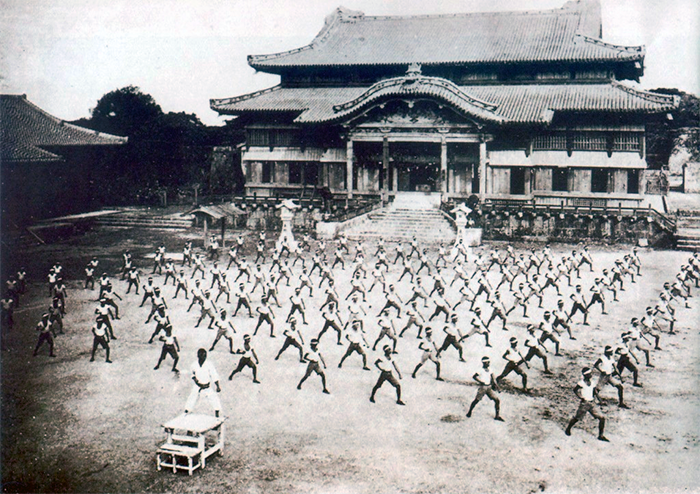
165,151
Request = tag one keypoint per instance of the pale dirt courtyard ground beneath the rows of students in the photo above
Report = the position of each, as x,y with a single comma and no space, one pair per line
71,425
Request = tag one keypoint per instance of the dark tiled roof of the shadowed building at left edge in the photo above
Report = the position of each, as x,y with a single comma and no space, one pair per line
26,128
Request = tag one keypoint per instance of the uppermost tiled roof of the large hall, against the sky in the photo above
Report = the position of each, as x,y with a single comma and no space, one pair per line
352,38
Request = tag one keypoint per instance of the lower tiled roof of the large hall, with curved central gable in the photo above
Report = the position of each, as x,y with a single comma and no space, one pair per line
496,103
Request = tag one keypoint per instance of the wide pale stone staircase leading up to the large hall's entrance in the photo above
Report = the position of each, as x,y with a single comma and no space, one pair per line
408,216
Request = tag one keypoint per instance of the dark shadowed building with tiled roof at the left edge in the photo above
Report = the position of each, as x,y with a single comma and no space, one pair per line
48,167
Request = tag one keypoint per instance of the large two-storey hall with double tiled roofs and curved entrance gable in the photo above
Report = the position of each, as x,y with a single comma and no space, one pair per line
530,105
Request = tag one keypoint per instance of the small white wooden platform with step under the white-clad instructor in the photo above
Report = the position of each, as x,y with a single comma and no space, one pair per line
191,439
